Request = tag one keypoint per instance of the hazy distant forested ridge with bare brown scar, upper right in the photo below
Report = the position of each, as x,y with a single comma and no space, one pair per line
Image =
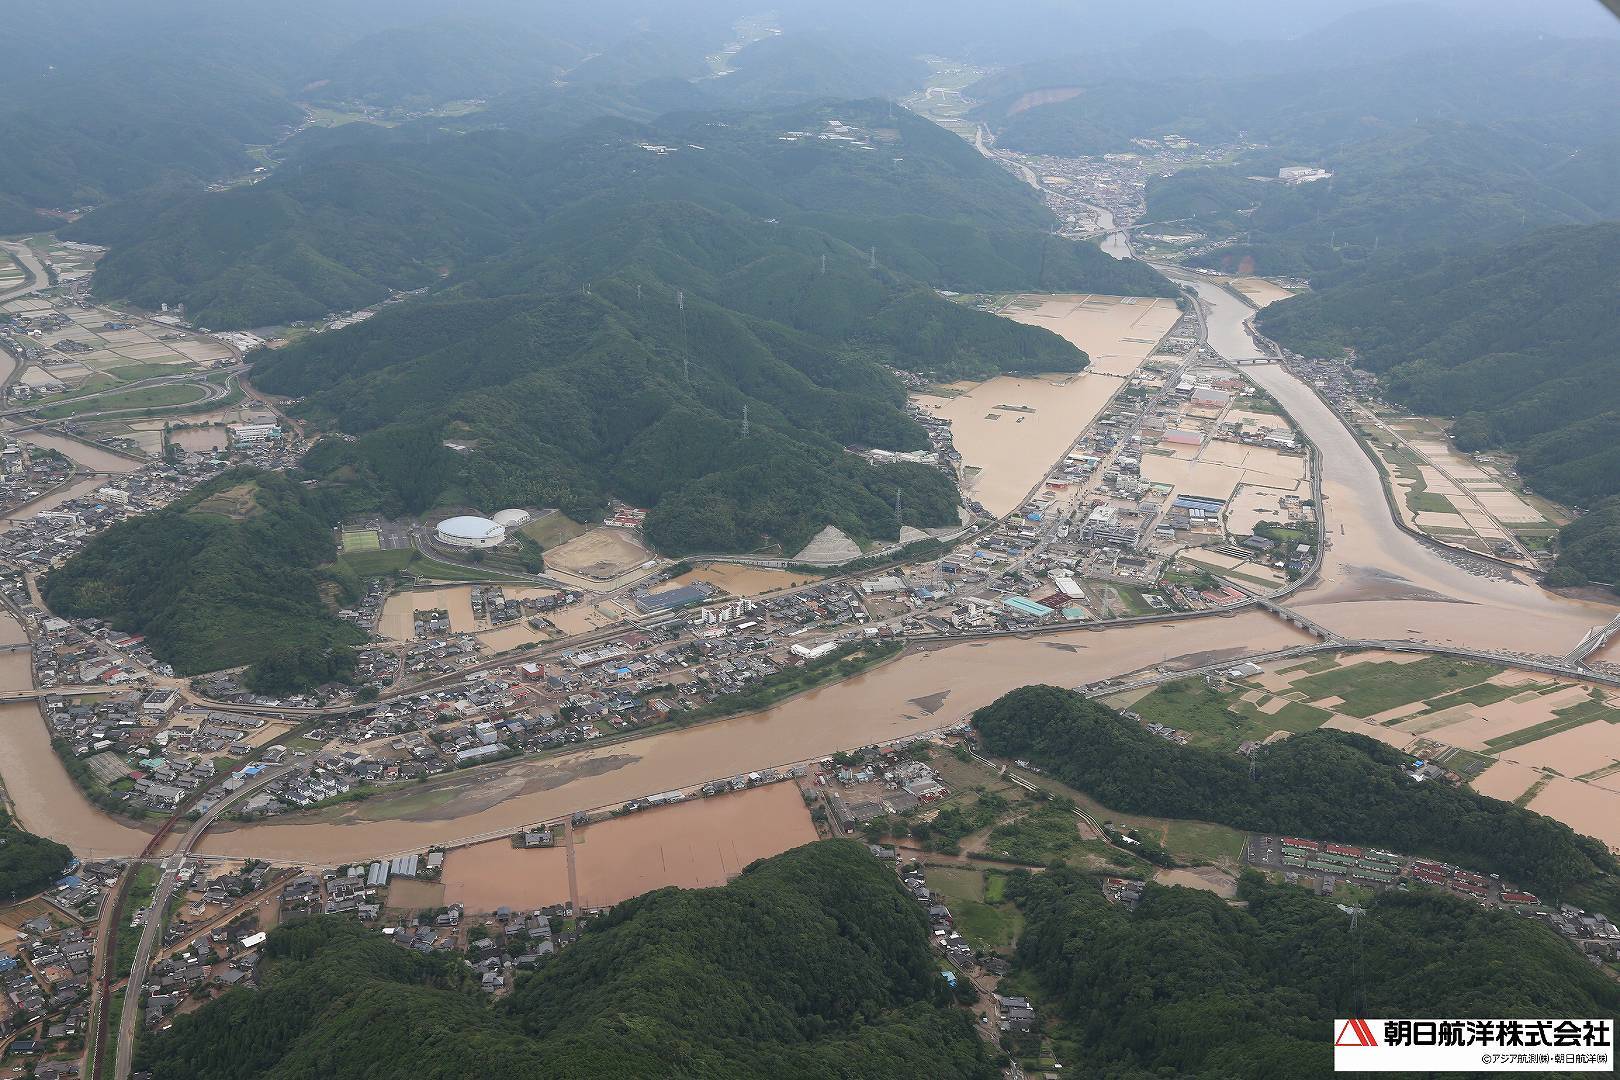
1310,100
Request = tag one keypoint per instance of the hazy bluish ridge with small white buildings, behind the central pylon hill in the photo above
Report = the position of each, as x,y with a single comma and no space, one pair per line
365,215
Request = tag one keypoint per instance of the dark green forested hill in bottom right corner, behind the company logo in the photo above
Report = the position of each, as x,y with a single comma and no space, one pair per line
1188,985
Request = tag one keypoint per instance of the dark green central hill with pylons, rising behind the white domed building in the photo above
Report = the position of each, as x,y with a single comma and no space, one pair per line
568,399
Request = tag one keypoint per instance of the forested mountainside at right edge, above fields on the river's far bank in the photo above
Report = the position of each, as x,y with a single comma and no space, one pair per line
1519,342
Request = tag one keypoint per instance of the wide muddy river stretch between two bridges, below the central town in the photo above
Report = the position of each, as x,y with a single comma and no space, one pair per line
919,692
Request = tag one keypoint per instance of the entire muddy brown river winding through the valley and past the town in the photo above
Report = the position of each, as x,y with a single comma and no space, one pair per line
1378,584
